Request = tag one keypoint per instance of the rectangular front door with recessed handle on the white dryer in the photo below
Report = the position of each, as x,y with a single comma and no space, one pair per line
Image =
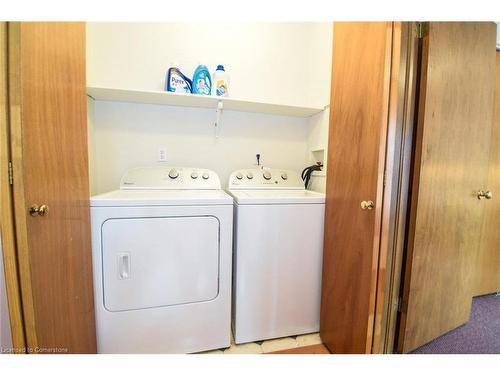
154,262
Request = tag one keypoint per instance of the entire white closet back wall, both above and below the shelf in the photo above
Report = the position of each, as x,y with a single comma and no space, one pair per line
285,63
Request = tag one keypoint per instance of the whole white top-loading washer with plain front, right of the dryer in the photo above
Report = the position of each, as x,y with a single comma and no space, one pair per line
277,252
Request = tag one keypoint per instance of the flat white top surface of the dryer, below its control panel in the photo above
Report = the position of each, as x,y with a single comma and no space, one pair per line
129,198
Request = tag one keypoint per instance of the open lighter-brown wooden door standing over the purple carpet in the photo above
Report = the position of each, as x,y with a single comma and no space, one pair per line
451,166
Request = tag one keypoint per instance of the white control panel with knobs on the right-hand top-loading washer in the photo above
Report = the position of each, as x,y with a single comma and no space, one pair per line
265,178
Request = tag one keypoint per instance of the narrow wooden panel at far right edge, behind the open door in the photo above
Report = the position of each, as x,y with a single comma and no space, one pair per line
488,269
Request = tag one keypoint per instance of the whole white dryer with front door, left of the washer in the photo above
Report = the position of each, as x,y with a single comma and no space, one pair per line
162,248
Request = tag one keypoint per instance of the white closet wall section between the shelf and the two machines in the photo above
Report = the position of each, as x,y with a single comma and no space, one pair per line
129,135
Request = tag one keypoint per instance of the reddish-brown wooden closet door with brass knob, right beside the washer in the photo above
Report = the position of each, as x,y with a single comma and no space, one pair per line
358,122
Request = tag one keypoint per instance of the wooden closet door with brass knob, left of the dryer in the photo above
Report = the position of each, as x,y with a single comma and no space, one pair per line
49,150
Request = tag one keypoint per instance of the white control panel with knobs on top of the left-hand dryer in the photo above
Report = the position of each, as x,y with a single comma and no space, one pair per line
170,178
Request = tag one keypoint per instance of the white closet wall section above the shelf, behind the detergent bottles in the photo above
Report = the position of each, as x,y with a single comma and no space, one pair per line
276,62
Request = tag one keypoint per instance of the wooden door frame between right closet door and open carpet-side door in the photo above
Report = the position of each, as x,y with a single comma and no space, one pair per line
399,153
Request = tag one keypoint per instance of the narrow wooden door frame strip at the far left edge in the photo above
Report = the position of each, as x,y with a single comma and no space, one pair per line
7,222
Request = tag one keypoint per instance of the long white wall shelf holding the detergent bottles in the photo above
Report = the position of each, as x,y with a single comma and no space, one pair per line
197,101
